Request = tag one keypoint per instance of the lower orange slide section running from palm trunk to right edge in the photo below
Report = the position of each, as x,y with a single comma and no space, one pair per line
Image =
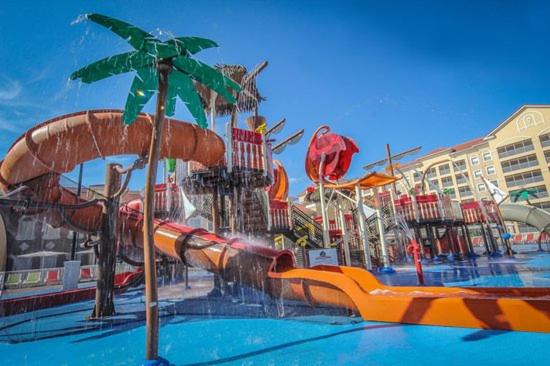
273,271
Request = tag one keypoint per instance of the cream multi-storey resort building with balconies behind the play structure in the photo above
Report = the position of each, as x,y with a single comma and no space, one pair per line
515,155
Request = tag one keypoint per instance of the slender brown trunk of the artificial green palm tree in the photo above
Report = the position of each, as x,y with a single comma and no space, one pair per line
151,293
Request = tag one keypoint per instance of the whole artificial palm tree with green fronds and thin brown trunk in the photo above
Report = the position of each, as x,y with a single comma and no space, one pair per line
164,67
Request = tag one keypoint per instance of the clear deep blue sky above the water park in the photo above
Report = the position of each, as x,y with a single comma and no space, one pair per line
407,73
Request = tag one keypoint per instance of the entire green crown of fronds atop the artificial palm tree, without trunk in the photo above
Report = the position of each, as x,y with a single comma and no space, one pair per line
149,52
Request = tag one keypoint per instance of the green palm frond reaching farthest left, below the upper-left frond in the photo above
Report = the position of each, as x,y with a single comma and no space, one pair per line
114,65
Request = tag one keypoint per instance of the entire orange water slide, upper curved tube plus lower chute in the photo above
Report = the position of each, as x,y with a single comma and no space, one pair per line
37,159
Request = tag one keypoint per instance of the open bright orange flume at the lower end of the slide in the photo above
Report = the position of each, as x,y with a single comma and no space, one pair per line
520,309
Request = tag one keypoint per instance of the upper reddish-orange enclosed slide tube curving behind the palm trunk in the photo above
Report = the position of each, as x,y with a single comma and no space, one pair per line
58,145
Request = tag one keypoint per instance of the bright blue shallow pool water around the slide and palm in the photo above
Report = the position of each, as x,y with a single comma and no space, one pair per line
228,331
